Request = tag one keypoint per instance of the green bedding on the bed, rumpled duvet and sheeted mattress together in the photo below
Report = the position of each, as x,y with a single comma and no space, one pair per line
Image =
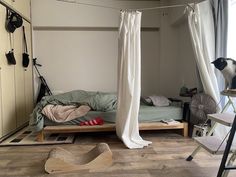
102,105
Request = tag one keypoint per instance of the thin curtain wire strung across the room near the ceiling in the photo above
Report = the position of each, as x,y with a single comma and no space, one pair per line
115,8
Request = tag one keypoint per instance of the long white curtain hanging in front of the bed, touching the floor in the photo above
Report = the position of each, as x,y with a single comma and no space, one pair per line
129,80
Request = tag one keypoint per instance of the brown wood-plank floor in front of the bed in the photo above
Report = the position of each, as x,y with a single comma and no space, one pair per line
164,158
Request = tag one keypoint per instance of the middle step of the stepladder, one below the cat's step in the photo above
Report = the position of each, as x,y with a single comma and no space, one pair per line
222,118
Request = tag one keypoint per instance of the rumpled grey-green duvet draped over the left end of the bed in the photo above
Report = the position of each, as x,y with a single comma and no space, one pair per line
97,101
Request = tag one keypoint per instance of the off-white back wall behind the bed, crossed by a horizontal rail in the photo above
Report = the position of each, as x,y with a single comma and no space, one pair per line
87,59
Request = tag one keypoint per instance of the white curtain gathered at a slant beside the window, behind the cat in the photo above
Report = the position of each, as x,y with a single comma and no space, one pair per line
201,25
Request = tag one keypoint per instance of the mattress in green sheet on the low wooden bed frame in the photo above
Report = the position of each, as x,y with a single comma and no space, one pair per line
146,114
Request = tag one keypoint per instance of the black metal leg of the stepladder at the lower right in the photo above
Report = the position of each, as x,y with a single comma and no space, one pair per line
223,166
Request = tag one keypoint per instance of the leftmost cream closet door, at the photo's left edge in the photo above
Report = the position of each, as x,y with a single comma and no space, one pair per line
8,106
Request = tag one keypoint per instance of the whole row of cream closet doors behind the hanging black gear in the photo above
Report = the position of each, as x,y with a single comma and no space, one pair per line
16,85
